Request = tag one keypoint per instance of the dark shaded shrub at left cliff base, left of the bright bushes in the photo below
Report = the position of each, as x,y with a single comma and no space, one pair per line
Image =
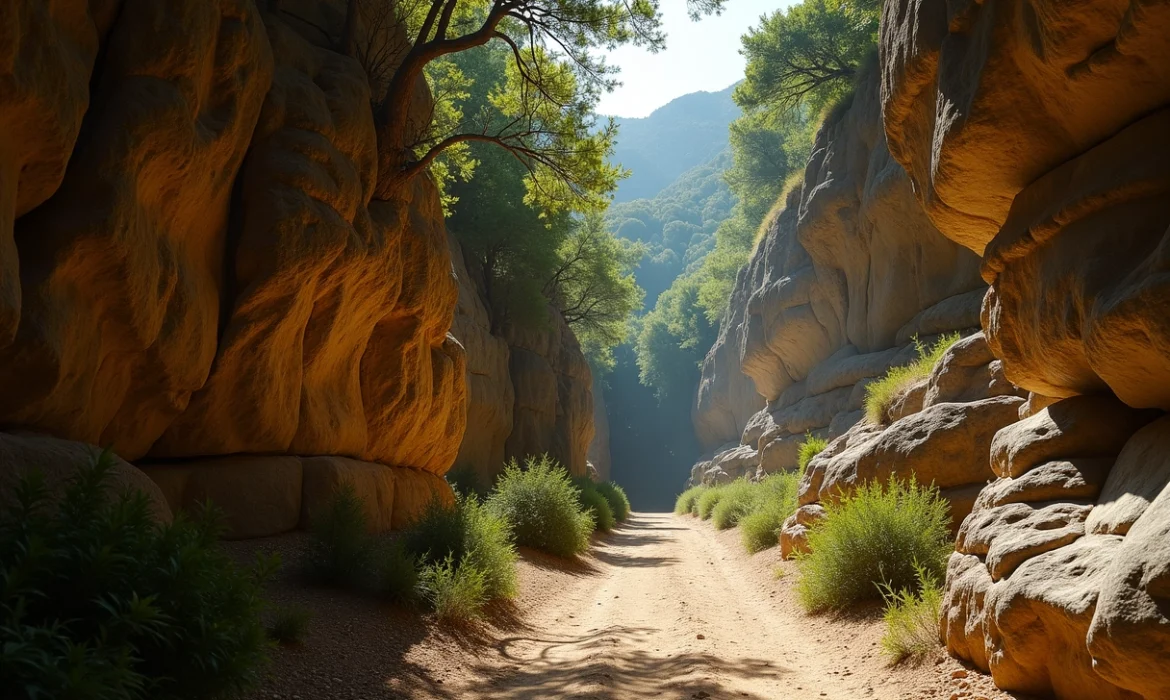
342,550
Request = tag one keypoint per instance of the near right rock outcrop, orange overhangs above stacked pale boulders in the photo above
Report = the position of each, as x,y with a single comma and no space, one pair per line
1037,136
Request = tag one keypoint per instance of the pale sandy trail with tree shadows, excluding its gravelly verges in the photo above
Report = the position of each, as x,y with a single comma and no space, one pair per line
667,613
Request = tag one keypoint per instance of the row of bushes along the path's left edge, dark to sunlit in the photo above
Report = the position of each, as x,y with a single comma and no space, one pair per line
460,559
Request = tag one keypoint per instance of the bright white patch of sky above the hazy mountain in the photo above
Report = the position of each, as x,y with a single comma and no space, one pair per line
703,56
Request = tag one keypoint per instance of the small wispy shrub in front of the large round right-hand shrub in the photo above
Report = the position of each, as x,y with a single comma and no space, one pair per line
912,619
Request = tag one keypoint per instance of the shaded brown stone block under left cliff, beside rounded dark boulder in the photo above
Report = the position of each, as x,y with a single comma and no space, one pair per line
259,496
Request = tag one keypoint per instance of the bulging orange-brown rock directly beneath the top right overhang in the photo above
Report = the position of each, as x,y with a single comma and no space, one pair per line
1079,298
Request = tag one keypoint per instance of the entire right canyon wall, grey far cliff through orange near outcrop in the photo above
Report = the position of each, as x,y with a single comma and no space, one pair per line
1003,173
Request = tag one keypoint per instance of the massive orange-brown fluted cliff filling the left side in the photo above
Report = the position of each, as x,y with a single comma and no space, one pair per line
194,270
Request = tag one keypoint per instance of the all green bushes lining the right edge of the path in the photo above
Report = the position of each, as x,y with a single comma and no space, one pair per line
886,541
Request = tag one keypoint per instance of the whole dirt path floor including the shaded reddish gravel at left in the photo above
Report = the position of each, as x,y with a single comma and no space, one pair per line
664,608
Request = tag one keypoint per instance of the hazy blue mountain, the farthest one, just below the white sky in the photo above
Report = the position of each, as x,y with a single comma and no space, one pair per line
685,133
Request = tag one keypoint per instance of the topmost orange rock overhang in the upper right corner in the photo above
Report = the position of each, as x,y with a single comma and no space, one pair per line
1028,87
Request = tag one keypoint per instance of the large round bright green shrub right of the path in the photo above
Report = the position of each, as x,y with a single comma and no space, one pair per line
876,537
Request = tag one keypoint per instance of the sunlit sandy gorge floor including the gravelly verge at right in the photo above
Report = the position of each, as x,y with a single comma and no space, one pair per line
667,607
